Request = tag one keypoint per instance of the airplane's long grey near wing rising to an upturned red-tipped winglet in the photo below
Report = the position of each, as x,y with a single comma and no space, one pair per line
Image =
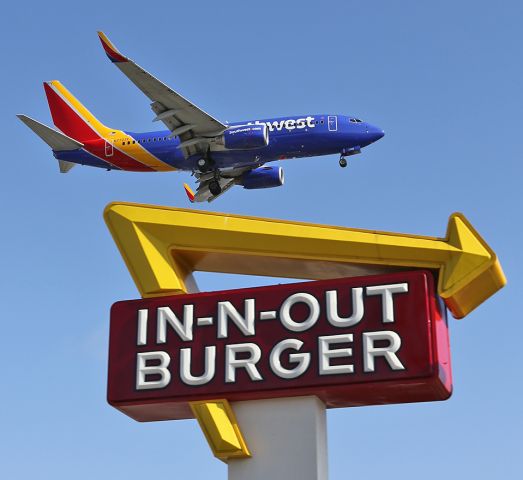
194,126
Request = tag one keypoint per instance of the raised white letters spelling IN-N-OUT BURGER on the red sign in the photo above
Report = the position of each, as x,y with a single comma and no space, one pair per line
247,355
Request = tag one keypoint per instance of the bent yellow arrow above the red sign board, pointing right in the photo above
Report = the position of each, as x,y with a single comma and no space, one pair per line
162,247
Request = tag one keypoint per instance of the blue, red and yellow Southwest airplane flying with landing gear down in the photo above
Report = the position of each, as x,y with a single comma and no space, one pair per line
219,154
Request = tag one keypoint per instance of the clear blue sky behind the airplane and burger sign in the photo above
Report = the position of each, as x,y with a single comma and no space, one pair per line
444,80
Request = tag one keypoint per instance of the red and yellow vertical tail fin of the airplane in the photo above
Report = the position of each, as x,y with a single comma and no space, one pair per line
70,116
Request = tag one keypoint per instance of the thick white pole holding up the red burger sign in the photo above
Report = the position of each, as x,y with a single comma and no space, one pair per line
287,438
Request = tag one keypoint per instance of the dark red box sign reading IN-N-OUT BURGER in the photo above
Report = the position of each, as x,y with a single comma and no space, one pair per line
352,341
